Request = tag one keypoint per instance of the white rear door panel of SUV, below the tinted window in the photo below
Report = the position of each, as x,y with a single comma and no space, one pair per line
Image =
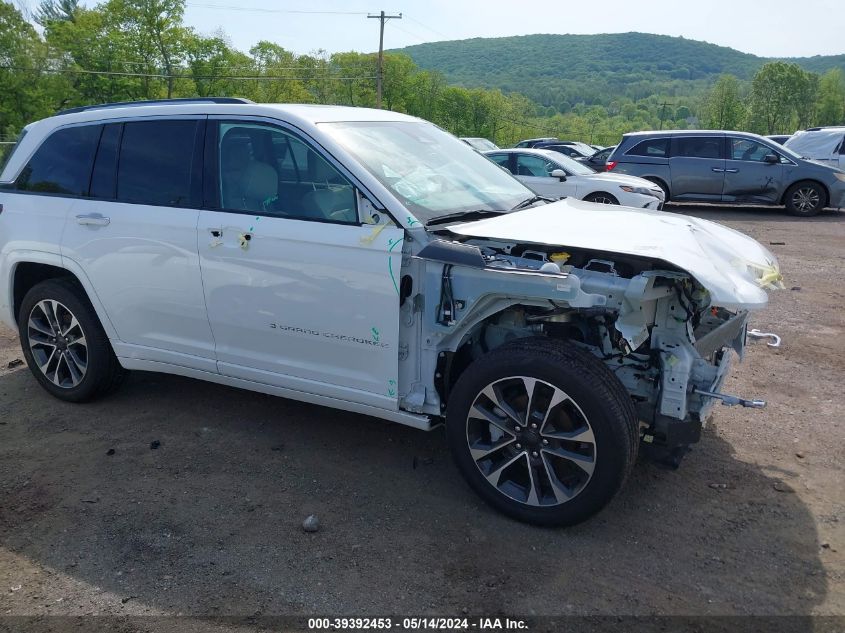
145,269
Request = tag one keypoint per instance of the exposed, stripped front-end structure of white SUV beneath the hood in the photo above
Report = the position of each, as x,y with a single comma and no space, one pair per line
654,324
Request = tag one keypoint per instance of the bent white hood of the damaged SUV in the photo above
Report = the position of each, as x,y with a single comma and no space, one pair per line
732,266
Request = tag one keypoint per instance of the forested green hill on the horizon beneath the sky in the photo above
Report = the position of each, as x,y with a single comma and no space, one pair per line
559,71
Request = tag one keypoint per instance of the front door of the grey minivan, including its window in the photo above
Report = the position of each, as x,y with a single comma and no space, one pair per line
748,177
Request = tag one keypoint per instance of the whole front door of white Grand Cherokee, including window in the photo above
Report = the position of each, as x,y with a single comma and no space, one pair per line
302,293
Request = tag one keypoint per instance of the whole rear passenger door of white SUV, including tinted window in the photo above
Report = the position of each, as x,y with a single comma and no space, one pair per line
135,239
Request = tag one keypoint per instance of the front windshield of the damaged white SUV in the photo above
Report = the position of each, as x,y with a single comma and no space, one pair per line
430,171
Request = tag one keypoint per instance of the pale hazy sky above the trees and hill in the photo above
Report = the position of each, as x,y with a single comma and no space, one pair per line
769,28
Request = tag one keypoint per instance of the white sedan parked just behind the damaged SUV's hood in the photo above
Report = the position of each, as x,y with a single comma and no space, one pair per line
555,175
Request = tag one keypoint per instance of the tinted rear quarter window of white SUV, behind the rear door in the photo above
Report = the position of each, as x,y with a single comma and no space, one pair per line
62,164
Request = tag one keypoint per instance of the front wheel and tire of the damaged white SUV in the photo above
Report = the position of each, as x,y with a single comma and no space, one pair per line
543,431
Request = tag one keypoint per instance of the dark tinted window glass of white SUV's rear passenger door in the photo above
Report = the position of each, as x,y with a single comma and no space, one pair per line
157,165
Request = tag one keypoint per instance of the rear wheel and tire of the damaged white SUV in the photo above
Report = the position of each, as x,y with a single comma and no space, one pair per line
64,343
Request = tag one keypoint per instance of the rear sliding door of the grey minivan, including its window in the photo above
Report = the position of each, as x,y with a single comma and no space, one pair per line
697,167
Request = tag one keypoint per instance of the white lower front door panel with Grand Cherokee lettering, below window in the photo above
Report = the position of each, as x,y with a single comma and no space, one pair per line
305,305
